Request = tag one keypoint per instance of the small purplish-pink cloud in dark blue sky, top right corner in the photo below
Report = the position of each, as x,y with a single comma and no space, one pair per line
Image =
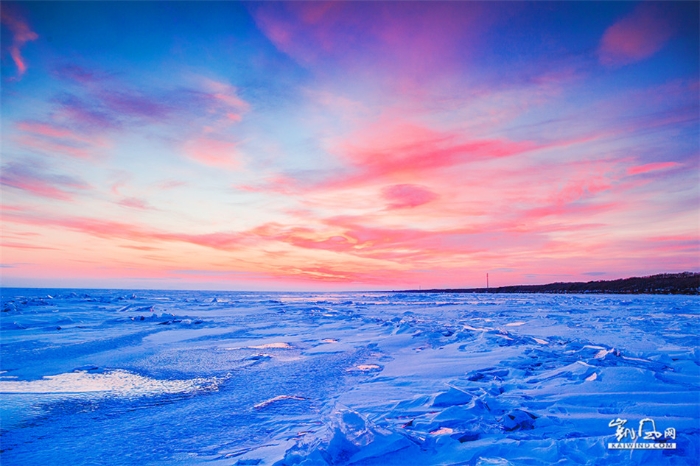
637,36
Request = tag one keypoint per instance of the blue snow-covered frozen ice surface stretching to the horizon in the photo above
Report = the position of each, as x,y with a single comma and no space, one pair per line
191,377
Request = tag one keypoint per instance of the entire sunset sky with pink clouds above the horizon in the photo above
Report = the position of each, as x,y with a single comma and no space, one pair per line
347,145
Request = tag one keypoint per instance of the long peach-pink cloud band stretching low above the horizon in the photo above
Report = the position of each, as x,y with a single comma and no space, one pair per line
443,251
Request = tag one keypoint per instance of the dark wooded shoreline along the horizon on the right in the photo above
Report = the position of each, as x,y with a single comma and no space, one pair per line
685,283
